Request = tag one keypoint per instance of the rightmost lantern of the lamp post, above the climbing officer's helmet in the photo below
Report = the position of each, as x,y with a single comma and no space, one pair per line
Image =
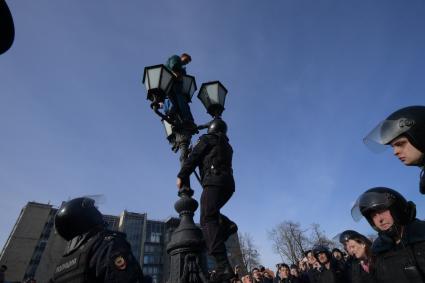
213,96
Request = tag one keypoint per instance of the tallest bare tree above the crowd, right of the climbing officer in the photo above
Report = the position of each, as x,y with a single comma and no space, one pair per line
289,241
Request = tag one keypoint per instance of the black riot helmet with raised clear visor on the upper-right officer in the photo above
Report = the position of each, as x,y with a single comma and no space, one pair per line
408,121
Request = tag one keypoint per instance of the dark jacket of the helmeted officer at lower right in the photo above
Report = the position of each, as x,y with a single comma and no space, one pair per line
403,262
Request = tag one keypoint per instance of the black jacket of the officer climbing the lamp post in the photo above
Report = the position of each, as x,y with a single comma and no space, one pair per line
213,154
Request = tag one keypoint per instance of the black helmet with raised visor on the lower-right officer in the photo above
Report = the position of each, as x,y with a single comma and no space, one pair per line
379,199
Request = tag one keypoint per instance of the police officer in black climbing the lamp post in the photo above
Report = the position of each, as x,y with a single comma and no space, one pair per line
213,155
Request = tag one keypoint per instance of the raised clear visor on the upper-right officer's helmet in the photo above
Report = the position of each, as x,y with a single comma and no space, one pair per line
385,132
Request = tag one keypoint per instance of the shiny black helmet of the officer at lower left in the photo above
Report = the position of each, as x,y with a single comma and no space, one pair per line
76,217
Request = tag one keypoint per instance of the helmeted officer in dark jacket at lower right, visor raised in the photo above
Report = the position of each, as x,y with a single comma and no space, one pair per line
400,247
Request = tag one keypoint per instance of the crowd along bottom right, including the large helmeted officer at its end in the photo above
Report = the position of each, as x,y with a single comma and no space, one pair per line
397,255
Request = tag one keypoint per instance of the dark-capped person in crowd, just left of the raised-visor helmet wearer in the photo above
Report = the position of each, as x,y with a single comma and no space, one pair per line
329,271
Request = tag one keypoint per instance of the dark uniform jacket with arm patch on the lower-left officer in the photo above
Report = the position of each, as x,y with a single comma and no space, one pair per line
98,256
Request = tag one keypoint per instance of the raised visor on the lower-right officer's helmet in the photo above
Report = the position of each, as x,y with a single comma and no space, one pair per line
371,201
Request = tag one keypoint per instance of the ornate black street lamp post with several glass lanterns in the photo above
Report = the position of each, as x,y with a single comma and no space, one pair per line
186,245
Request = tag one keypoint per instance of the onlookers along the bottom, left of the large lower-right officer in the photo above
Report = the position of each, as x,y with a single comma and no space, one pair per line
319,265
